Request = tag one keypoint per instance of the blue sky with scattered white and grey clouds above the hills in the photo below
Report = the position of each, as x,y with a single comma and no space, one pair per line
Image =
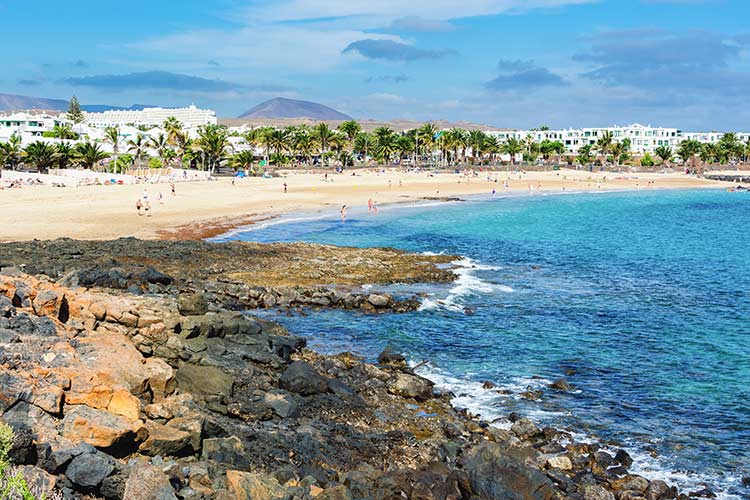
506,63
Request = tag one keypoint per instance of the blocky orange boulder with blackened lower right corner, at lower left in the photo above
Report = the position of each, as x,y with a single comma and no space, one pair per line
101,429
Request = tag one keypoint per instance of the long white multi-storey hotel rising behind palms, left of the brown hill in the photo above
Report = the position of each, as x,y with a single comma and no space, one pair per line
189,117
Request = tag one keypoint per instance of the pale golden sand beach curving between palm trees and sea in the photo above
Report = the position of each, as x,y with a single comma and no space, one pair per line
204,209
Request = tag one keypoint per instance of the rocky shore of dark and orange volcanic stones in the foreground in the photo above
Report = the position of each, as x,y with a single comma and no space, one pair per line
152,386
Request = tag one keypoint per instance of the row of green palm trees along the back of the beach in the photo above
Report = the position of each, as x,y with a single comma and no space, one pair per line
345,145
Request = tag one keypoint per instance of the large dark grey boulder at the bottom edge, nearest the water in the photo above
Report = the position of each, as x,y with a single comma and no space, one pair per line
494,473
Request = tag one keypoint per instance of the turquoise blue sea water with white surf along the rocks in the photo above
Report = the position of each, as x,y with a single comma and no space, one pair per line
641,300
